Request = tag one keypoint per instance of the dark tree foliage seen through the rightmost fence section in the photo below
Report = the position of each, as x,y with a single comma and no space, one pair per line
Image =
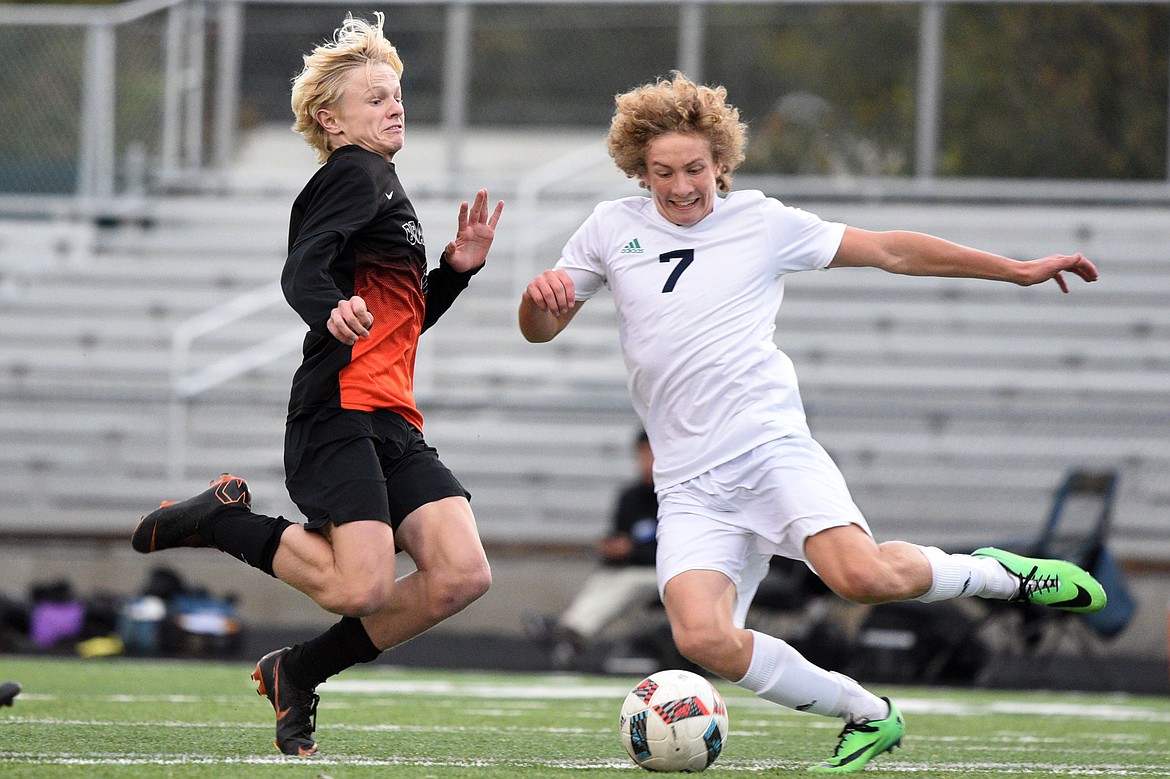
1056,92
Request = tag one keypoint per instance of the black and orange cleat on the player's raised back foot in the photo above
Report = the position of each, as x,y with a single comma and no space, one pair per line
183,523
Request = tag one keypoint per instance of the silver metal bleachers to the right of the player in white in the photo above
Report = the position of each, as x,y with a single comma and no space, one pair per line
956,406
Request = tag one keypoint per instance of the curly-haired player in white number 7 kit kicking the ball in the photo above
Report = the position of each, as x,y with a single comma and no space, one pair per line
698,281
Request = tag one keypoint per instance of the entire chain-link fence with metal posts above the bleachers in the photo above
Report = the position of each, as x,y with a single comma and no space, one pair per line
112,101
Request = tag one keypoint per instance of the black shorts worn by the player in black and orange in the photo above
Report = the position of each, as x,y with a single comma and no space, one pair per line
342,466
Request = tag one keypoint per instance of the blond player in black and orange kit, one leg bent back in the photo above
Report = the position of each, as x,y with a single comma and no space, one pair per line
356,463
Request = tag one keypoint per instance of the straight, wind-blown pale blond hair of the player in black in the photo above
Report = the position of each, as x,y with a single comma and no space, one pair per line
356,44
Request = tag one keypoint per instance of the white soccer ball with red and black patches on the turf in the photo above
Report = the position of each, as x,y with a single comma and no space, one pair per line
675,721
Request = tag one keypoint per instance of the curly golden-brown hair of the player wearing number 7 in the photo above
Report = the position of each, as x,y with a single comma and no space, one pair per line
677,106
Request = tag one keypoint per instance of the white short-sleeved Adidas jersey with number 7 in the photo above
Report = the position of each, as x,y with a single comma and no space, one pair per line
697,309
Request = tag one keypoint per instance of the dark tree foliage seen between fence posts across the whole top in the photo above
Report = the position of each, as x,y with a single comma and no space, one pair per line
1030,89
